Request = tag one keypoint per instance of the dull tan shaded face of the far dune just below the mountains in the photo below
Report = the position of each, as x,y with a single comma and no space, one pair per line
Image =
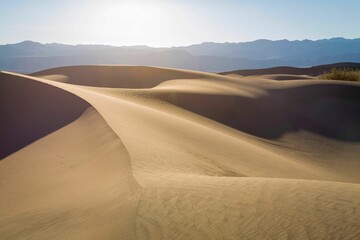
115,76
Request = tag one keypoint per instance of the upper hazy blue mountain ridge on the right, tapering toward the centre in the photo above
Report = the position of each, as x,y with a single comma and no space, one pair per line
281,49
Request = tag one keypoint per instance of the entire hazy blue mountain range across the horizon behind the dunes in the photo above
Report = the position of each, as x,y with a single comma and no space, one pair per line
31,56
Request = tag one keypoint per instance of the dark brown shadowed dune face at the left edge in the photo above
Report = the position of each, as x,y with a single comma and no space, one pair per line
30,110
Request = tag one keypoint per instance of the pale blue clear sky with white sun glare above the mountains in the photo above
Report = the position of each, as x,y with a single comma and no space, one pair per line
175,22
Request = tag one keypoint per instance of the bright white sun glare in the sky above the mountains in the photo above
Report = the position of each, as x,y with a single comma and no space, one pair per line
136,22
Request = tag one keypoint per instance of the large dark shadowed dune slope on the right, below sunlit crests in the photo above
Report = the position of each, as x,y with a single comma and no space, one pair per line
331,110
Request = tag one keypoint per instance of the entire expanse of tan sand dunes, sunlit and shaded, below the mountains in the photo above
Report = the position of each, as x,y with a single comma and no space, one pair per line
130,152
